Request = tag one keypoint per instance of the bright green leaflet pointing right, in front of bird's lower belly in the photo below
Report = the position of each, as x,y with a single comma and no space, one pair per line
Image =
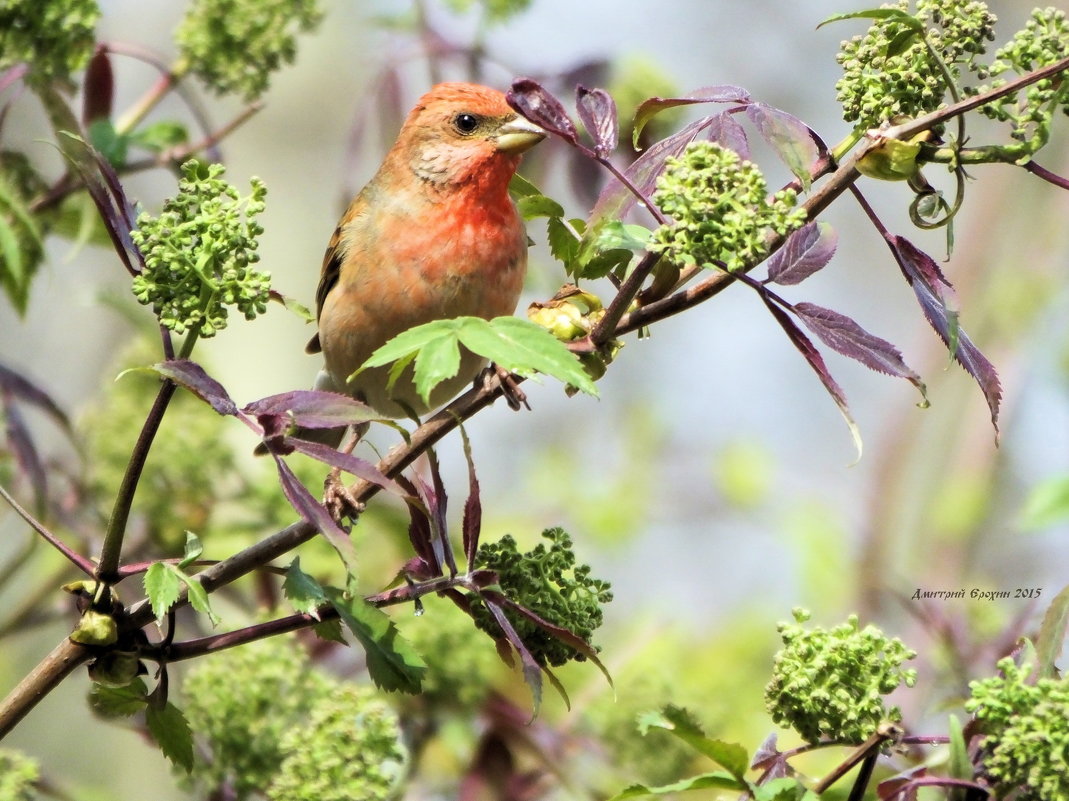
524,348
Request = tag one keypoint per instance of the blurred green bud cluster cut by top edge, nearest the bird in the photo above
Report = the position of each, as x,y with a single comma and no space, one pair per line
235,45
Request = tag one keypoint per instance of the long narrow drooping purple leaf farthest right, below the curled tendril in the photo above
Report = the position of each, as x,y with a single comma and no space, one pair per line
936,297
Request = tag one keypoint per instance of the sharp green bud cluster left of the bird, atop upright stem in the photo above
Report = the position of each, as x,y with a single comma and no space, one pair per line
199,254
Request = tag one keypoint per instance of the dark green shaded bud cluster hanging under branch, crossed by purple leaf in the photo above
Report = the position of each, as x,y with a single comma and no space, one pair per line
548,582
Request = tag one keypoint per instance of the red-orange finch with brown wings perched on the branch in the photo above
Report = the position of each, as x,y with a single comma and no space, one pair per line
435,235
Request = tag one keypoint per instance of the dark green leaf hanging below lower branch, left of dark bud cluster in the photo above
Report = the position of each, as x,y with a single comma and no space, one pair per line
393,664
